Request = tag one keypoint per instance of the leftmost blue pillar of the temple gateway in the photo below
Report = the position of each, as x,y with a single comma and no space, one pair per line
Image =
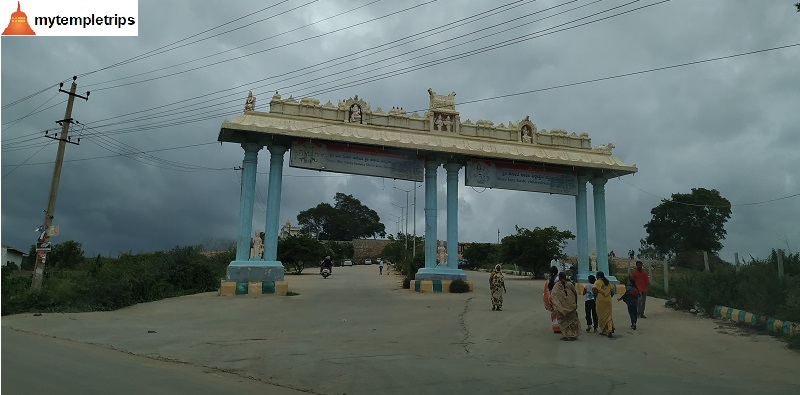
249,166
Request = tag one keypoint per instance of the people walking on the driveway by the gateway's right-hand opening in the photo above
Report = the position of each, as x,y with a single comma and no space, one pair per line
561,300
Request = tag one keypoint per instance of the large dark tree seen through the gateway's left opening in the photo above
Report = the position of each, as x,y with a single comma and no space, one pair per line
347,219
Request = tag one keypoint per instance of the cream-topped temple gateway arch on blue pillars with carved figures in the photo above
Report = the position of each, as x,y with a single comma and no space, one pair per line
350,137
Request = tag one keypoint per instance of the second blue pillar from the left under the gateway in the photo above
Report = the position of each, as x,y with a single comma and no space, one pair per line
273,203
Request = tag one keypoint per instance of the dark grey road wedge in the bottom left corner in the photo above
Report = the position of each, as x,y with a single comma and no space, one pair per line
36,364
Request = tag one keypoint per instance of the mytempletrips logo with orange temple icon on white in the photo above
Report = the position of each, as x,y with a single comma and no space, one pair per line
72,18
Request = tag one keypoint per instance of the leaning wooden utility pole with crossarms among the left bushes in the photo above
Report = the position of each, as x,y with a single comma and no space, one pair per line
43,245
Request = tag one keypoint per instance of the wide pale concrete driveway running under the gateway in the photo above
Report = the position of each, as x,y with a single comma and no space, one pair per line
359,333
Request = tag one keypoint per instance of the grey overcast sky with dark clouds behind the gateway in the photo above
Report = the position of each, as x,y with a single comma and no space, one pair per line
729,125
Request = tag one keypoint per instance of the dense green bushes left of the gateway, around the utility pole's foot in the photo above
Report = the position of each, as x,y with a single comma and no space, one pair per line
107,284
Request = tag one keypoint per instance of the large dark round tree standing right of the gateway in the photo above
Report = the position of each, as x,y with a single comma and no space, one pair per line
689,222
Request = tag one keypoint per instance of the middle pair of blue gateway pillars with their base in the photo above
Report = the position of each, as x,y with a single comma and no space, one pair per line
450,271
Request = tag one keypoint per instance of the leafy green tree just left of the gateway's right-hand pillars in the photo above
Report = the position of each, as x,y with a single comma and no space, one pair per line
532,250
